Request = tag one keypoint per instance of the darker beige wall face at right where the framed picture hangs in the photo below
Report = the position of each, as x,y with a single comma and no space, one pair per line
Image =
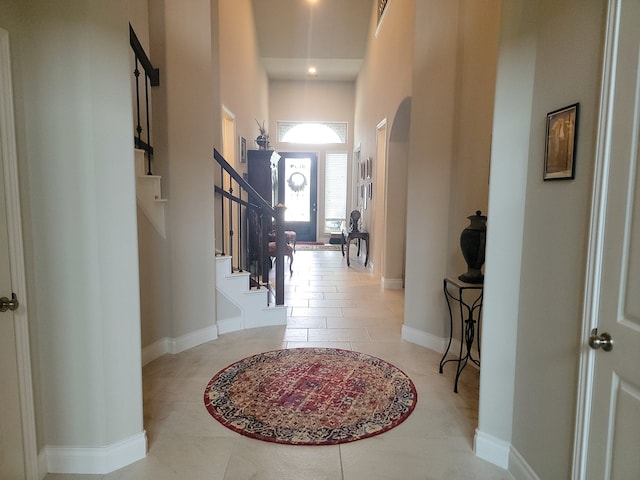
554,240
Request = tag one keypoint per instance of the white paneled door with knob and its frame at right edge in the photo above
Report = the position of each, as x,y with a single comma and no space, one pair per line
612,415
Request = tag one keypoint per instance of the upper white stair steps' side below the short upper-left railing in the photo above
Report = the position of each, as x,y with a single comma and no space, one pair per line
149,195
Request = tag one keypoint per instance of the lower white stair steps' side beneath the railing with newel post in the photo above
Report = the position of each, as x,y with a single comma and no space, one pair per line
239,307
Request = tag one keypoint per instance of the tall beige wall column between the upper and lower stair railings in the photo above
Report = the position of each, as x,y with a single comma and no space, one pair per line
187,122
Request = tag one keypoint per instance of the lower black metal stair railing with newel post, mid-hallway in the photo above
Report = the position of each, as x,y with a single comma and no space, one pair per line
246,219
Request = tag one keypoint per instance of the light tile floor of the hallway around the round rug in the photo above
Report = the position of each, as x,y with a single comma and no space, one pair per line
329,305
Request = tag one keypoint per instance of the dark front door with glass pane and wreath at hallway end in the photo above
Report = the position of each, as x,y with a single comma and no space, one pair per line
298,173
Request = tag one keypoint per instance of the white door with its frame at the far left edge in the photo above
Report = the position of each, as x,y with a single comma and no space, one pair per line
17,425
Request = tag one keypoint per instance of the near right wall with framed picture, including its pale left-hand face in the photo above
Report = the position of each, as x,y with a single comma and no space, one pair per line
537,247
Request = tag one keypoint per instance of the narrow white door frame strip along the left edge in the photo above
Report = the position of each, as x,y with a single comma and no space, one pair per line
9,158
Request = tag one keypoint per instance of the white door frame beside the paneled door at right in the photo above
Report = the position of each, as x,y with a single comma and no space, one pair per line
595,246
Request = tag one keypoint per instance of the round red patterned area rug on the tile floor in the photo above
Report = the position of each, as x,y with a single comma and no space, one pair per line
310,396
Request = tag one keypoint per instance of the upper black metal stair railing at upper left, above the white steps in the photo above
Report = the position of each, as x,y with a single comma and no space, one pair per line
143,113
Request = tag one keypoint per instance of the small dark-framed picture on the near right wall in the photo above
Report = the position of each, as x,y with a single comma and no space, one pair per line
560,144
